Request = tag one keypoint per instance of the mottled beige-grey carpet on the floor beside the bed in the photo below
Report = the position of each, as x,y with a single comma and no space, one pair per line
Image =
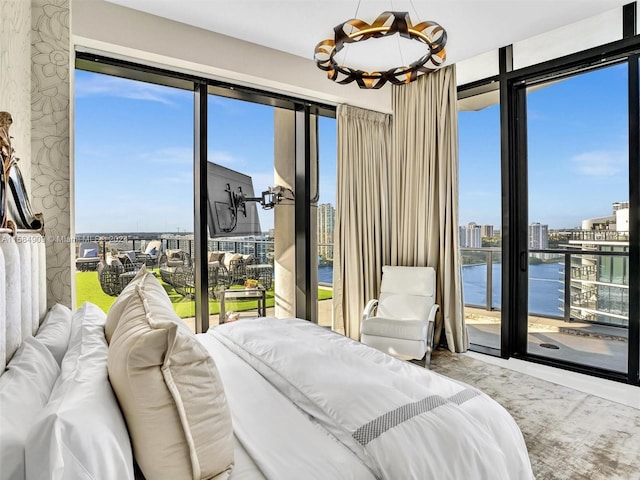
570,434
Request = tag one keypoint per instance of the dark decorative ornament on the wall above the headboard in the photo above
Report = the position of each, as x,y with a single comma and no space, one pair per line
12,181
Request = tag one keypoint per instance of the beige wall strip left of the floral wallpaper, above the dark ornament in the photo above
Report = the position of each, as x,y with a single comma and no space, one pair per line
15,76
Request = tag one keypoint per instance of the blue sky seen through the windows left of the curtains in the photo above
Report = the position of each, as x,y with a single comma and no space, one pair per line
134,153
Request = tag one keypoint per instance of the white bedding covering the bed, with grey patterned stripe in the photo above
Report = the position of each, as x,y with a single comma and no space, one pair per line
306,401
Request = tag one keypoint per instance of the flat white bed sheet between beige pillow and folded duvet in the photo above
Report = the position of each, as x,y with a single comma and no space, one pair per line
280,439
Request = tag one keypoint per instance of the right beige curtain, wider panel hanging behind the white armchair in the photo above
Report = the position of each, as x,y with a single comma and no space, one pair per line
424,191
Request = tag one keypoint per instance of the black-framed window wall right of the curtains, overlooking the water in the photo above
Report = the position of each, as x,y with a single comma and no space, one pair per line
570,194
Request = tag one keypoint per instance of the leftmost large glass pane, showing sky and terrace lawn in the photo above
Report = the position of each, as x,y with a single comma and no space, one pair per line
133,183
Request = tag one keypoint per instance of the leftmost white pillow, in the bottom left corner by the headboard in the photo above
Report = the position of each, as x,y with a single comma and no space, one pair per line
25,388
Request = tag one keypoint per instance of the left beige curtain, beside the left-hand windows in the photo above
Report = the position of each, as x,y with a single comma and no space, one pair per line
361,237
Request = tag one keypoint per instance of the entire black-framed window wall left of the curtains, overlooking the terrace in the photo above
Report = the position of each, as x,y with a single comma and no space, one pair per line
139,193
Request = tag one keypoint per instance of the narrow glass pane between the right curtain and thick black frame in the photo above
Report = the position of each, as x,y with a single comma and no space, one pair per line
480,216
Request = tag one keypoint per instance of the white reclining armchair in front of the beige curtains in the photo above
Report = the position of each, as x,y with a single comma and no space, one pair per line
402,322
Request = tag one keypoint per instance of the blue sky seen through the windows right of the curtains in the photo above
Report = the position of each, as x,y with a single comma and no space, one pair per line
577,143
